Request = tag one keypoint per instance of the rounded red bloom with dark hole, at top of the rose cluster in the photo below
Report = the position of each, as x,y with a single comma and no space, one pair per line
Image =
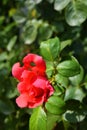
35,63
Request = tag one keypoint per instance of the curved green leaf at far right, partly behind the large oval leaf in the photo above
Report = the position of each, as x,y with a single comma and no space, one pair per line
77,79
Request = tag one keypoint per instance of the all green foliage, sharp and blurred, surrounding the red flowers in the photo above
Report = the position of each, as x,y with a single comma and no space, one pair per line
57,30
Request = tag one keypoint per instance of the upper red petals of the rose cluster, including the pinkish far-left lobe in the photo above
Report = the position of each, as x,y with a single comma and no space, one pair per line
32,62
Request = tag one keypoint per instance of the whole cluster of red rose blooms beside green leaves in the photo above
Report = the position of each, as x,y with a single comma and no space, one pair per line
33,86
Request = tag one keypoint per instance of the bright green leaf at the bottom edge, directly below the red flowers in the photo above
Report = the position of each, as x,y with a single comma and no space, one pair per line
38,120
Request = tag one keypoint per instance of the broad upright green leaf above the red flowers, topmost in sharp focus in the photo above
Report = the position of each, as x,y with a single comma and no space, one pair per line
50,49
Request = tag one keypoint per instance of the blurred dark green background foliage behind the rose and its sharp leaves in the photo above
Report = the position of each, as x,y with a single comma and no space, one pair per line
23,25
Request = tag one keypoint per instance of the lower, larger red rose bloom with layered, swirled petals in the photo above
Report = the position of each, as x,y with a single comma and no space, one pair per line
34,94
